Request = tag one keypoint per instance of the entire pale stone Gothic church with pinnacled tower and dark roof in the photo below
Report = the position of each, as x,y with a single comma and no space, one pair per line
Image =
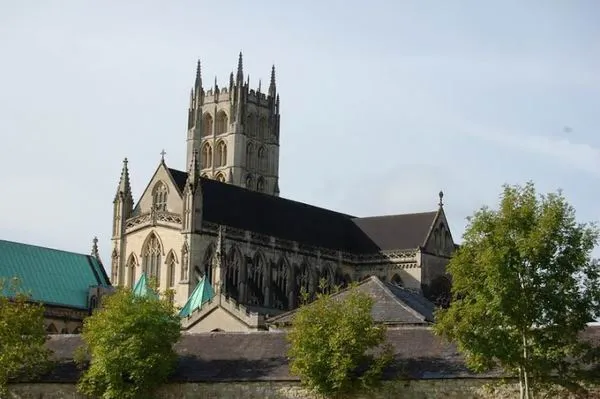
220,225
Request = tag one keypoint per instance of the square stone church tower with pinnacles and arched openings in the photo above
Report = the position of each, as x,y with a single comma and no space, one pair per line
235,131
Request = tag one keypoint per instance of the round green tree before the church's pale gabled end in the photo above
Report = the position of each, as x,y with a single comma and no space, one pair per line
129,342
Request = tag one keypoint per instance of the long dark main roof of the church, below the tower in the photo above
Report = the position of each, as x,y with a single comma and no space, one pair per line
266,214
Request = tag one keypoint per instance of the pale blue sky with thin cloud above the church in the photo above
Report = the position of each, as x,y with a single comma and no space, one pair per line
383,103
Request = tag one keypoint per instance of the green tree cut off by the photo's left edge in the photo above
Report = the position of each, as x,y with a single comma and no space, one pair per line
22,335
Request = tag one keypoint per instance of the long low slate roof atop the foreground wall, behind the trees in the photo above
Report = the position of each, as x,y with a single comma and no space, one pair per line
262,356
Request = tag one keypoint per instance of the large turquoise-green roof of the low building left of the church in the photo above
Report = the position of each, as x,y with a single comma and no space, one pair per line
51,276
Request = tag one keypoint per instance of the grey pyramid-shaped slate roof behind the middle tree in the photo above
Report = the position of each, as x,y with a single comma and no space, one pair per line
393,305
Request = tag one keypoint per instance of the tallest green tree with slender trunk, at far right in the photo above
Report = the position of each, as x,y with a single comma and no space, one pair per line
524,287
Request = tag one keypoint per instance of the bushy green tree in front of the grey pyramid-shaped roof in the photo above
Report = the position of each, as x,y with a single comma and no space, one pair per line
332,342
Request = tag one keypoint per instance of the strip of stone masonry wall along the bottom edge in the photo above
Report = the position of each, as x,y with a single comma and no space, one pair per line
419,389
